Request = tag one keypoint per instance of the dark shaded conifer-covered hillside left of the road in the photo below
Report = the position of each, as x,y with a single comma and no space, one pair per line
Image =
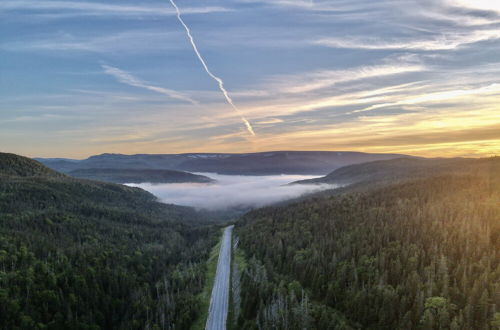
80,254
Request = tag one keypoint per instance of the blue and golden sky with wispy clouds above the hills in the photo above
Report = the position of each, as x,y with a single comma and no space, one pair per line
420,77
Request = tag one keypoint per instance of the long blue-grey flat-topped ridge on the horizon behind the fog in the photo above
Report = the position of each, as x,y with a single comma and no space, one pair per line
262,163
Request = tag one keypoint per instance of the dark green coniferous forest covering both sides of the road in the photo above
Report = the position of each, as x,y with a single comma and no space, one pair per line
413,252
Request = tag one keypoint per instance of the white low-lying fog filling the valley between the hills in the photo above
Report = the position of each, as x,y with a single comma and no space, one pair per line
232,191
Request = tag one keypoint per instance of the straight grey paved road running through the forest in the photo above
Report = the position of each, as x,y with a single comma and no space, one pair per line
219,302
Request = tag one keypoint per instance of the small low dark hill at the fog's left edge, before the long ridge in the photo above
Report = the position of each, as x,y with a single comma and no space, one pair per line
123,175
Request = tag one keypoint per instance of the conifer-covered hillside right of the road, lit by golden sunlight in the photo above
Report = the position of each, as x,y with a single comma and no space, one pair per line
422,253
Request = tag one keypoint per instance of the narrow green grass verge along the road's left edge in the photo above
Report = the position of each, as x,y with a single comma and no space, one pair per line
204,296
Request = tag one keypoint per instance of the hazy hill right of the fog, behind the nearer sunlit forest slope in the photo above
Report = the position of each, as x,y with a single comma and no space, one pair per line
403,168
